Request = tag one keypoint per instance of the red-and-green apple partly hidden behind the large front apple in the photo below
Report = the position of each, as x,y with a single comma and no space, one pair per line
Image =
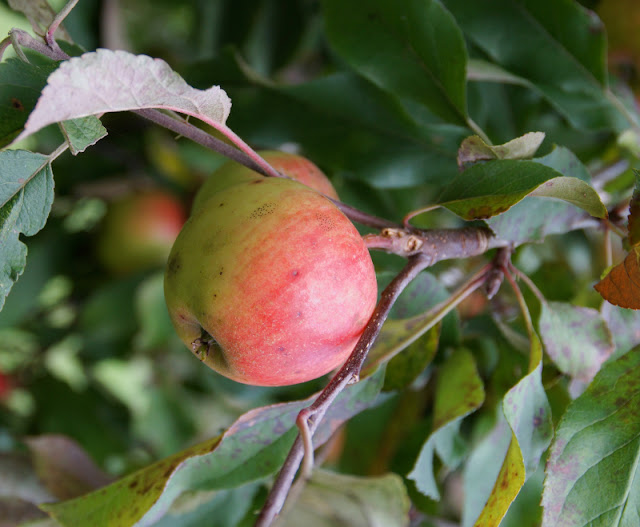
291,165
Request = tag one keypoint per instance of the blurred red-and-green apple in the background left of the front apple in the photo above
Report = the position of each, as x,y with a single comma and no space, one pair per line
138,231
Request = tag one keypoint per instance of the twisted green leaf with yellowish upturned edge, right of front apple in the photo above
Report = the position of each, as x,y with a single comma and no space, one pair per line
490,188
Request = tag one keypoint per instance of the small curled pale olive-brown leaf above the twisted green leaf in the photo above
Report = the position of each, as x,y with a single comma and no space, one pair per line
474,149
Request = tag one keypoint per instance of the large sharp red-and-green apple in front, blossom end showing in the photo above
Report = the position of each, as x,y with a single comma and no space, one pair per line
277,276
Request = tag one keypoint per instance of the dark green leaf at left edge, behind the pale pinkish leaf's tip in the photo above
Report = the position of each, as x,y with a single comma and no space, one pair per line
20,87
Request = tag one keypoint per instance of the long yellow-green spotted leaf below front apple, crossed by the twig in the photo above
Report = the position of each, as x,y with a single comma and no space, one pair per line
253,447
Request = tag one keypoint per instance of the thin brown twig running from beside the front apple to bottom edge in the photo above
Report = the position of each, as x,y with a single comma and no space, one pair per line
347,374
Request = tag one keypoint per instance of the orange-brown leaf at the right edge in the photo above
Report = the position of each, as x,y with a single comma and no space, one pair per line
621,287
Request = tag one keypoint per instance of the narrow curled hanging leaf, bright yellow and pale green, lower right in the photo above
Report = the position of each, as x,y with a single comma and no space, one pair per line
528,413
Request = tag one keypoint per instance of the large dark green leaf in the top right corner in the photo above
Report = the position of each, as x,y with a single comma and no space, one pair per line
572,76
